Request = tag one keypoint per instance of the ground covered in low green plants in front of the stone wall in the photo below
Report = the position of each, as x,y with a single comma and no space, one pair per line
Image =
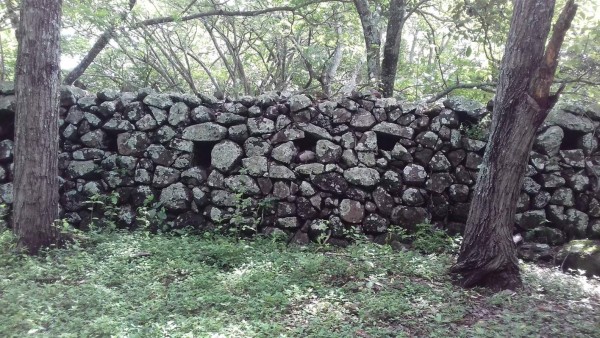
142,285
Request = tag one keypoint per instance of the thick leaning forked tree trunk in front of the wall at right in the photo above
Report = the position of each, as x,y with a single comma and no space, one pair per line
488,255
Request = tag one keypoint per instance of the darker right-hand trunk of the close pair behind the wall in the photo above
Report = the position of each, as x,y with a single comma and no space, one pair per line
391,50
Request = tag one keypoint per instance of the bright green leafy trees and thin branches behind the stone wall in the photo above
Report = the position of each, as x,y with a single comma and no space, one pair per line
239,47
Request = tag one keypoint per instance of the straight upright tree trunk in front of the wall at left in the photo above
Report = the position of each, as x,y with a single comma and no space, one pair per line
35,205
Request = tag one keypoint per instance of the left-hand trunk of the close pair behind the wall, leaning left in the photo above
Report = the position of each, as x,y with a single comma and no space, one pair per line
372,38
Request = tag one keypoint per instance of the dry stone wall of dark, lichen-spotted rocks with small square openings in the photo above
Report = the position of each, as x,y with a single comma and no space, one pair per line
307,168
